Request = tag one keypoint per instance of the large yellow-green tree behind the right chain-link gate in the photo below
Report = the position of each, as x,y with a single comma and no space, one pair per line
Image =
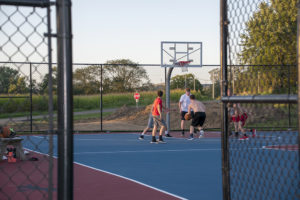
270,39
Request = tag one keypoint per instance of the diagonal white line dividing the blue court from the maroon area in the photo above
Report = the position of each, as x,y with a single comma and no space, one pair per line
129,179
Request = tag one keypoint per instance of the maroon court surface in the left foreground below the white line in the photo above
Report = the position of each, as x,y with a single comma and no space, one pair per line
29,180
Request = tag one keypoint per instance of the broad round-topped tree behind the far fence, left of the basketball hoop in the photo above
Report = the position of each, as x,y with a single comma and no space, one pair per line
124,75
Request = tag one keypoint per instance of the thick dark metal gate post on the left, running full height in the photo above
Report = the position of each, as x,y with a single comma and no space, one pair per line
65,100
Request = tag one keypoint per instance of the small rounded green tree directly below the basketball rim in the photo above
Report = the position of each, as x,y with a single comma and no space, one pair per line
178,82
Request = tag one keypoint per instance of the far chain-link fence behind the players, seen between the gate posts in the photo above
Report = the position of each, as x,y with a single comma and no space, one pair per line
104,94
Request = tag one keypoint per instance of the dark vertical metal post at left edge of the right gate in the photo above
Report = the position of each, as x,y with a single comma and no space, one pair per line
224,112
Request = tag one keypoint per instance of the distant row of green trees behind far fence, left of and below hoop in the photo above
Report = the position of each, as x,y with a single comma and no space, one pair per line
120,75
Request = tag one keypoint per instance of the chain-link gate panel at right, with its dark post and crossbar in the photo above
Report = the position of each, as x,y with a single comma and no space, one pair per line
260,138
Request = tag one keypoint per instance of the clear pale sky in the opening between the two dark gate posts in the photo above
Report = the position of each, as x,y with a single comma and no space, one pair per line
133,29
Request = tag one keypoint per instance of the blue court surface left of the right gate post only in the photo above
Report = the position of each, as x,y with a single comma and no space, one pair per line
187,169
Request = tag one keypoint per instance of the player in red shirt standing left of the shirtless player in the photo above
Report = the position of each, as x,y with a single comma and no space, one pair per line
158,118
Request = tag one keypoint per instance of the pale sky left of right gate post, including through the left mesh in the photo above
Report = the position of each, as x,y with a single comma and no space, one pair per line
106,30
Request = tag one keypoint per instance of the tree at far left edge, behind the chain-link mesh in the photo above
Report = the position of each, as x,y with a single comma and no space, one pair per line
8,76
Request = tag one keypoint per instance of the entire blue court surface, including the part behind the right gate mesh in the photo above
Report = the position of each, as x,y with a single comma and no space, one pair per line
190,169
